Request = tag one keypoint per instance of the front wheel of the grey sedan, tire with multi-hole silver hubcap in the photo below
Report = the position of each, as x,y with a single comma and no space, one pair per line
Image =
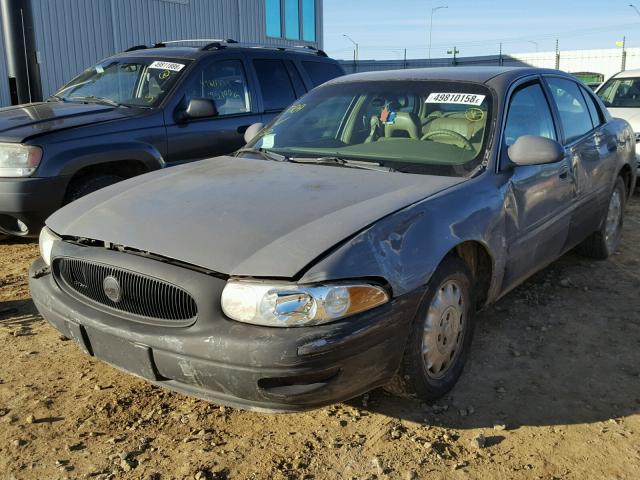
419,374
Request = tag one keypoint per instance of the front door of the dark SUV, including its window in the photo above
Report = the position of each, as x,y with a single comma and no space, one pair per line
224,81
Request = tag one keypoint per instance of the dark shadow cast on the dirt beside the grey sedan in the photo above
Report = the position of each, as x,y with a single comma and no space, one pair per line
547,354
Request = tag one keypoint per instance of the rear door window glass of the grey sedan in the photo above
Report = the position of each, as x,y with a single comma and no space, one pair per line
573,110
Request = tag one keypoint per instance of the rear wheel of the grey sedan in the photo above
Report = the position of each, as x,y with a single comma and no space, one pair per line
602,243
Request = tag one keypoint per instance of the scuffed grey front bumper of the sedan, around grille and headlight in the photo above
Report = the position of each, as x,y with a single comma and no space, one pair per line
227,362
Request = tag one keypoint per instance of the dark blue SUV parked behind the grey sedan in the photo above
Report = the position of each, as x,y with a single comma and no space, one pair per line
142,110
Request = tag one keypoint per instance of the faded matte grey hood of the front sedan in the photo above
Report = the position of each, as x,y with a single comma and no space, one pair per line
243,216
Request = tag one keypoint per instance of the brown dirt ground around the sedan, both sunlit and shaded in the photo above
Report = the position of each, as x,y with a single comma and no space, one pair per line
551,391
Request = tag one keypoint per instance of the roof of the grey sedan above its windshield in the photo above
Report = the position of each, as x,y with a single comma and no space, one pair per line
468,74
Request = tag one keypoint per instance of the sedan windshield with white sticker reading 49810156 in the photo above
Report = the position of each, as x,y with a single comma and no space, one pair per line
412,126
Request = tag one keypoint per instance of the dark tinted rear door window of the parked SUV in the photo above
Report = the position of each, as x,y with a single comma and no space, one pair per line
275,84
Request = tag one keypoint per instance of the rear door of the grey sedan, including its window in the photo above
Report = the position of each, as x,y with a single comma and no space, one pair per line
592,148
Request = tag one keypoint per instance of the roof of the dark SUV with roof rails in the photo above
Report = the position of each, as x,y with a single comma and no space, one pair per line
194,53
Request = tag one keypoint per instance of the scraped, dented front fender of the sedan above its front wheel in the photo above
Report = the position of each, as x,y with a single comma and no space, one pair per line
405,248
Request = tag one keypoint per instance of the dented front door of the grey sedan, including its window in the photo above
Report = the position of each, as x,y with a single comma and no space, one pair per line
539,197
